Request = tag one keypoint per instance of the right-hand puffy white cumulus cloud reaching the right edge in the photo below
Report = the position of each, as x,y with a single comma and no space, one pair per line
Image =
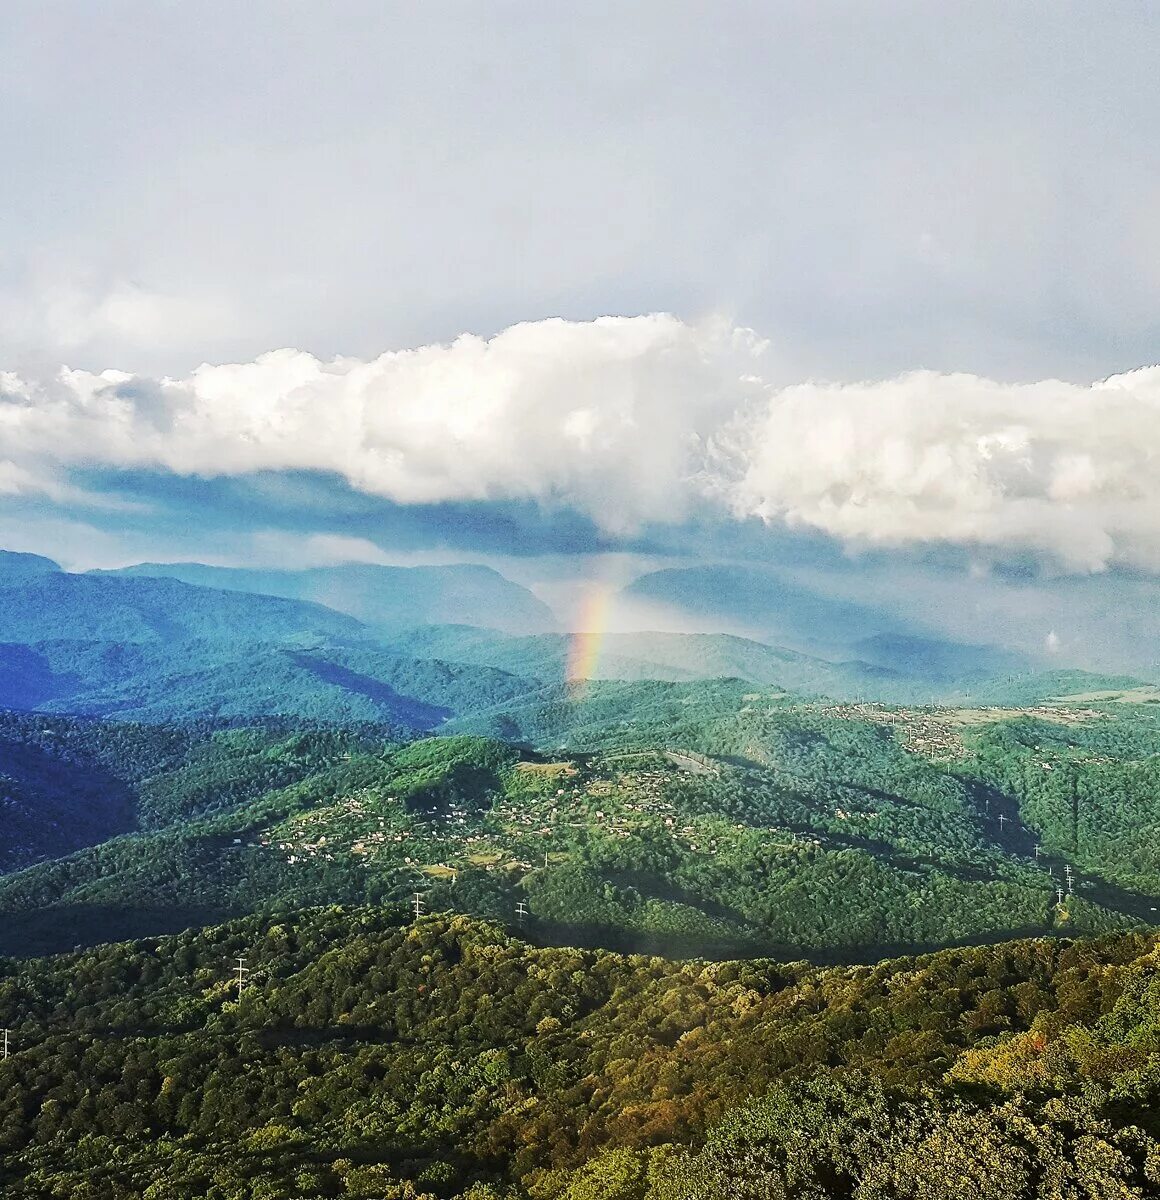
1055,467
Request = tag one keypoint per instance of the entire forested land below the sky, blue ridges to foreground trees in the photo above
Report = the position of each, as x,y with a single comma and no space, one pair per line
634,939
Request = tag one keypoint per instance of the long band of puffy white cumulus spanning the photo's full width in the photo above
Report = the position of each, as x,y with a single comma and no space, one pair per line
641,421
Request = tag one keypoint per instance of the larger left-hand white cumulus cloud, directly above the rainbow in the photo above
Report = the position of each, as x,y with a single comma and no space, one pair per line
608,417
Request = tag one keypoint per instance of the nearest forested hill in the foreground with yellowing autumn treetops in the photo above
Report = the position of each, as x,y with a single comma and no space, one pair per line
374,1058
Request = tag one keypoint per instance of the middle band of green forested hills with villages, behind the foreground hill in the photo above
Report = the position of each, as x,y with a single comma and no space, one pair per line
710,824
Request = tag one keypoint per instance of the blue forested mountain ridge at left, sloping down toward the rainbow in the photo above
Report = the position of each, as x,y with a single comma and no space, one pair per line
159,650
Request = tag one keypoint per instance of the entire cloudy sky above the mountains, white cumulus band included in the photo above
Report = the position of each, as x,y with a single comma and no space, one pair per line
396,283
